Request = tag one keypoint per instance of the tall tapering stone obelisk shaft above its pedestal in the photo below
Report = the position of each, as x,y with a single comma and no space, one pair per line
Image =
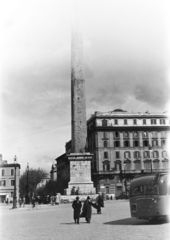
78,102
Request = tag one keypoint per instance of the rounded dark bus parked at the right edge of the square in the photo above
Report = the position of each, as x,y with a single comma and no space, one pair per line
149,196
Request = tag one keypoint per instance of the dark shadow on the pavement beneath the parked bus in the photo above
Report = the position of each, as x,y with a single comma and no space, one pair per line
134,221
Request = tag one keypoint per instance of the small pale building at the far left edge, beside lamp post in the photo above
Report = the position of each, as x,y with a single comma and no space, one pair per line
7,180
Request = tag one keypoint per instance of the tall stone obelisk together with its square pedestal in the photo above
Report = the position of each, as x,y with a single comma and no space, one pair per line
80,160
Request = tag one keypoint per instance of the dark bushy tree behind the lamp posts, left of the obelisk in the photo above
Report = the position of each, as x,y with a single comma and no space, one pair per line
34,177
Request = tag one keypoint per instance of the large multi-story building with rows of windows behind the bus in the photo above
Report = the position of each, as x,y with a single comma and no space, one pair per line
125,145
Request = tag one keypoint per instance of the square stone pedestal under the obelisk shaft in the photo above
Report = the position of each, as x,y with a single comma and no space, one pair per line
80,174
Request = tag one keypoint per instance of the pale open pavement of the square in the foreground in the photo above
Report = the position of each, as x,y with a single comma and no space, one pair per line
56,222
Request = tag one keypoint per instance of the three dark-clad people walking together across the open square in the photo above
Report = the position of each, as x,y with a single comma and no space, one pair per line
87,208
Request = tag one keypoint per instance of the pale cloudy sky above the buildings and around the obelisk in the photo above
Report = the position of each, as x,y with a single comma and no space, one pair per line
126,65
